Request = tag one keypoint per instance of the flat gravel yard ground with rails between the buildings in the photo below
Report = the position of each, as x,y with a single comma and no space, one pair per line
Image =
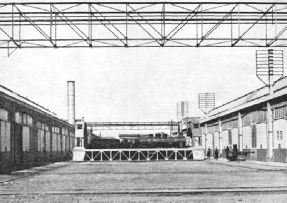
167,181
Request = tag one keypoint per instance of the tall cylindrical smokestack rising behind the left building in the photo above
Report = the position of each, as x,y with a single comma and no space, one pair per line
71,102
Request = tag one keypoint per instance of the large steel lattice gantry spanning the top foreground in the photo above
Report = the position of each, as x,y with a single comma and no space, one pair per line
142,24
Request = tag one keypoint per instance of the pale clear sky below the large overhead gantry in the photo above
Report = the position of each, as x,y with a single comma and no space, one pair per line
129,85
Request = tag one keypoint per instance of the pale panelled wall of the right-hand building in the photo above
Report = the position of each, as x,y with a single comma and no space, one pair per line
255,139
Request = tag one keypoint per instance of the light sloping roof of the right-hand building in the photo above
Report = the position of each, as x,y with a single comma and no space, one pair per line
250,99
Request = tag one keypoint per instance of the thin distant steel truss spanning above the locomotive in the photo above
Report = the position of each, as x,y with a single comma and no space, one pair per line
132,125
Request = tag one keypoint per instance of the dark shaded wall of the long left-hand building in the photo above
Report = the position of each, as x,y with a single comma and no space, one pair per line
22,142
